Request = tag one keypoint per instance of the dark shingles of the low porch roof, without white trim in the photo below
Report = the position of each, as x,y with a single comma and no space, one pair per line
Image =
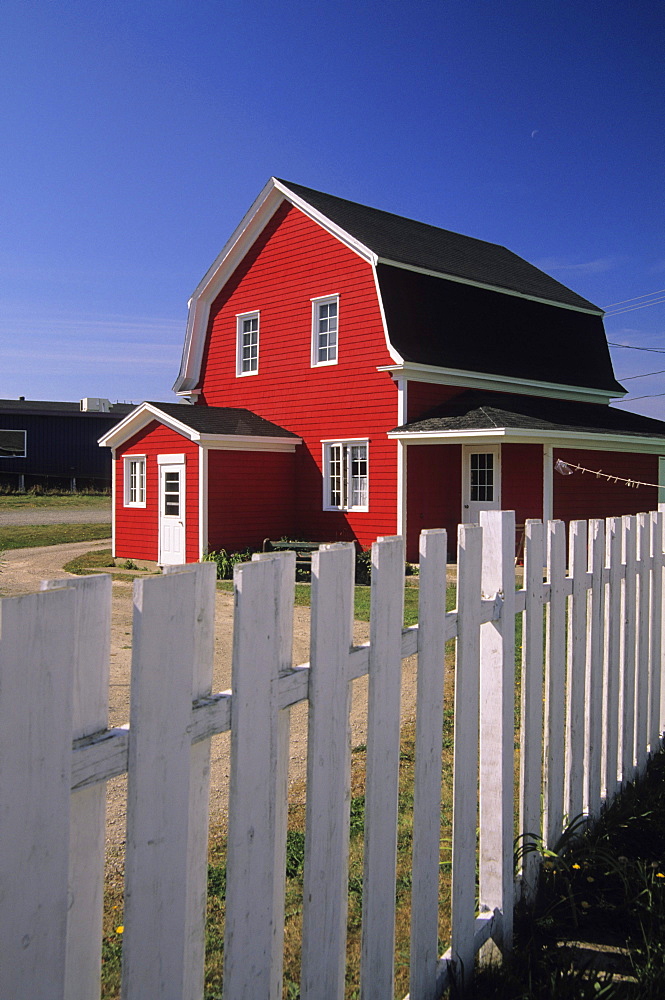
476,410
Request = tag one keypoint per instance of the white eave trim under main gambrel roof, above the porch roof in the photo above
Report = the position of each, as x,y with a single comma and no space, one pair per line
497,383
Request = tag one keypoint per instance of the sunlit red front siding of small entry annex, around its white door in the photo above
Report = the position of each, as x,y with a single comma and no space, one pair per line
137,528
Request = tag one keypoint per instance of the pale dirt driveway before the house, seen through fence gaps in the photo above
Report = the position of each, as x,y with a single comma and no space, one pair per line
21,573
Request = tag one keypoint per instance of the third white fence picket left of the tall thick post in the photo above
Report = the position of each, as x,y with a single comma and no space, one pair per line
382,769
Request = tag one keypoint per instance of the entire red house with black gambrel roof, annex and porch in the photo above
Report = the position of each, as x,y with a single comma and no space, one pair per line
348,373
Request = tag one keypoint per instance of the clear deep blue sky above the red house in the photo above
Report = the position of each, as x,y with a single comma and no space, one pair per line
136,133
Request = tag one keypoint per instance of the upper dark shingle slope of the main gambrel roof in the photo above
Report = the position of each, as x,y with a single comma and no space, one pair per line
406,241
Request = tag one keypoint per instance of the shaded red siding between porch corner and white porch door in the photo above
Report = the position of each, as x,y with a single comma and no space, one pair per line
434,499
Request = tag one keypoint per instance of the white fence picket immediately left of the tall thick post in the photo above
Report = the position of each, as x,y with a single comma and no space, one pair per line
465,766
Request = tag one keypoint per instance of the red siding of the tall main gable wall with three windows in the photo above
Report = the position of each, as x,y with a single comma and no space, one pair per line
294,261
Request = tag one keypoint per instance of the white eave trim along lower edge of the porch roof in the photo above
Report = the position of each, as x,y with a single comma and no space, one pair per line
594,441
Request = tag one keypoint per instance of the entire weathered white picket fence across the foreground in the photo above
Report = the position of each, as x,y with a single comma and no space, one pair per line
592,711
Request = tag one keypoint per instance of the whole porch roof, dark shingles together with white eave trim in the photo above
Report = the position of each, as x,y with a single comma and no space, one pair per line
478,414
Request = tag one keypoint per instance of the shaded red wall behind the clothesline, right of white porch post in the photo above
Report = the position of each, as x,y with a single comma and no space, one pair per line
581,496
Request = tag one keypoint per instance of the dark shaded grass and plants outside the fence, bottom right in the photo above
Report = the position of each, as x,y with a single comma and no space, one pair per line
603,886
